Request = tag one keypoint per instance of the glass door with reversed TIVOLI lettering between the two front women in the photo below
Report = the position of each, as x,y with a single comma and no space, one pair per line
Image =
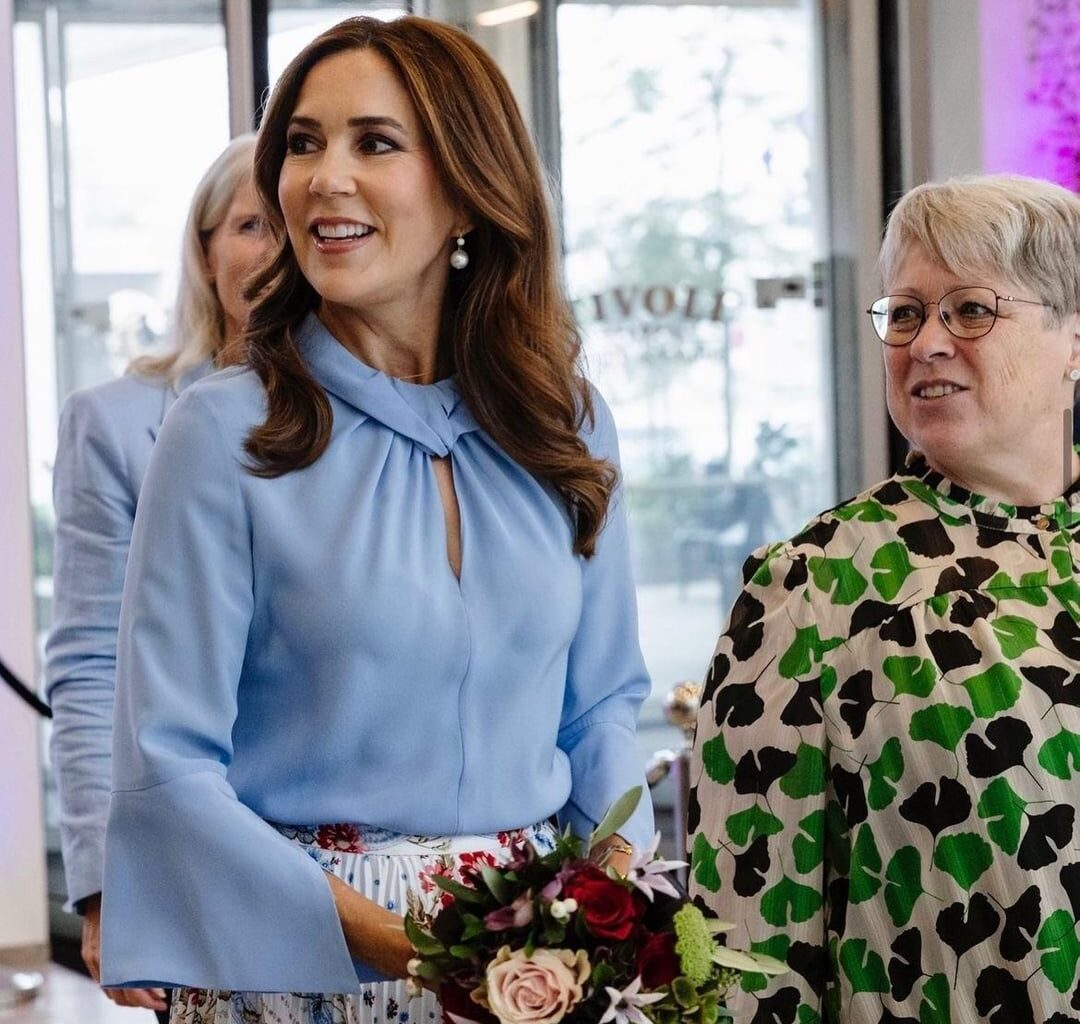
694,241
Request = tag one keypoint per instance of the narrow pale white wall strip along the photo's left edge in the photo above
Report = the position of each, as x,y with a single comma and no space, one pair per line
23,906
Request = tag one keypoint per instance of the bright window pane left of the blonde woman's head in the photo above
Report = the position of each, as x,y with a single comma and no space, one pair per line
129,201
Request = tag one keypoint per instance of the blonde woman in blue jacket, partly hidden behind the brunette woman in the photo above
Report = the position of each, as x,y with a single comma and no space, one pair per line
106,437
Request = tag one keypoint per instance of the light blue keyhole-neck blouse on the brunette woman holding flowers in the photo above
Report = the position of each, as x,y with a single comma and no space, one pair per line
299,650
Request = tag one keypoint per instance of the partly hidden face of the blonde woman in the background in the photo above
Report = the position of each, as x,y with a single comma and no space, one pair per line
236,247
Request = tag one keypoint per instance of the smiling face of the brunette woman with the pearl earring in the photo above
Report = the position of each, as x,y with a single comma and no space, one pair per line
368,218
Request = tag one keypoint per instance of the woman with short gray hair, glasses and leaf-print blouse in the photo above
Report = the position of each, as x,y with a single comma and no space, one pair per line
886,762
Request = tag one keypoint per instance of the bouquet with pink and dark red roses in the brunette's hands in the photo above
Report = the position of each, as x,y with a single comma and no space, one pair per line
553,938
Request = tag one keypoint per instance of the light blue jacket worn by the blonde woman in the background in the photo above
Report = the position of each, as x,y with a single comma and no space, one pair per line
106,437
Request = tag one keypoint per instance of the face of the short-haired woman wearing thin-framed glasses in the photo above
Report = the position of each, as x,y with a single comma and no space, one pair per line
985,412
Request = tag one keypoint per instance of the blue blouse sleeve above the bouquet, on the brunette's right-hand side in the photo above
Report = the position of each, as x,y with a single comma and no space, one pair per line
607,680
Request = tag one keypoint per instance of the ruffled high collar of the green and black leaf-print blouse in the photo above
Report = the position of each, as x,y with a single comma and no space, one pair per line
952,500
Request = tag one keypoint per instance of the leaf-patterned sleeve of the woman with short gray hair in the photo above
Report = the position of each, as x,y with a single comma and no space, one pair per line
759,815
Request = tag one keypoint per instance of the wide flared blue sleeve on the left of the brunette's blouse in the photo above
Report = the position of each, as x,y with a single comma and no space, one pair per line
199,891
